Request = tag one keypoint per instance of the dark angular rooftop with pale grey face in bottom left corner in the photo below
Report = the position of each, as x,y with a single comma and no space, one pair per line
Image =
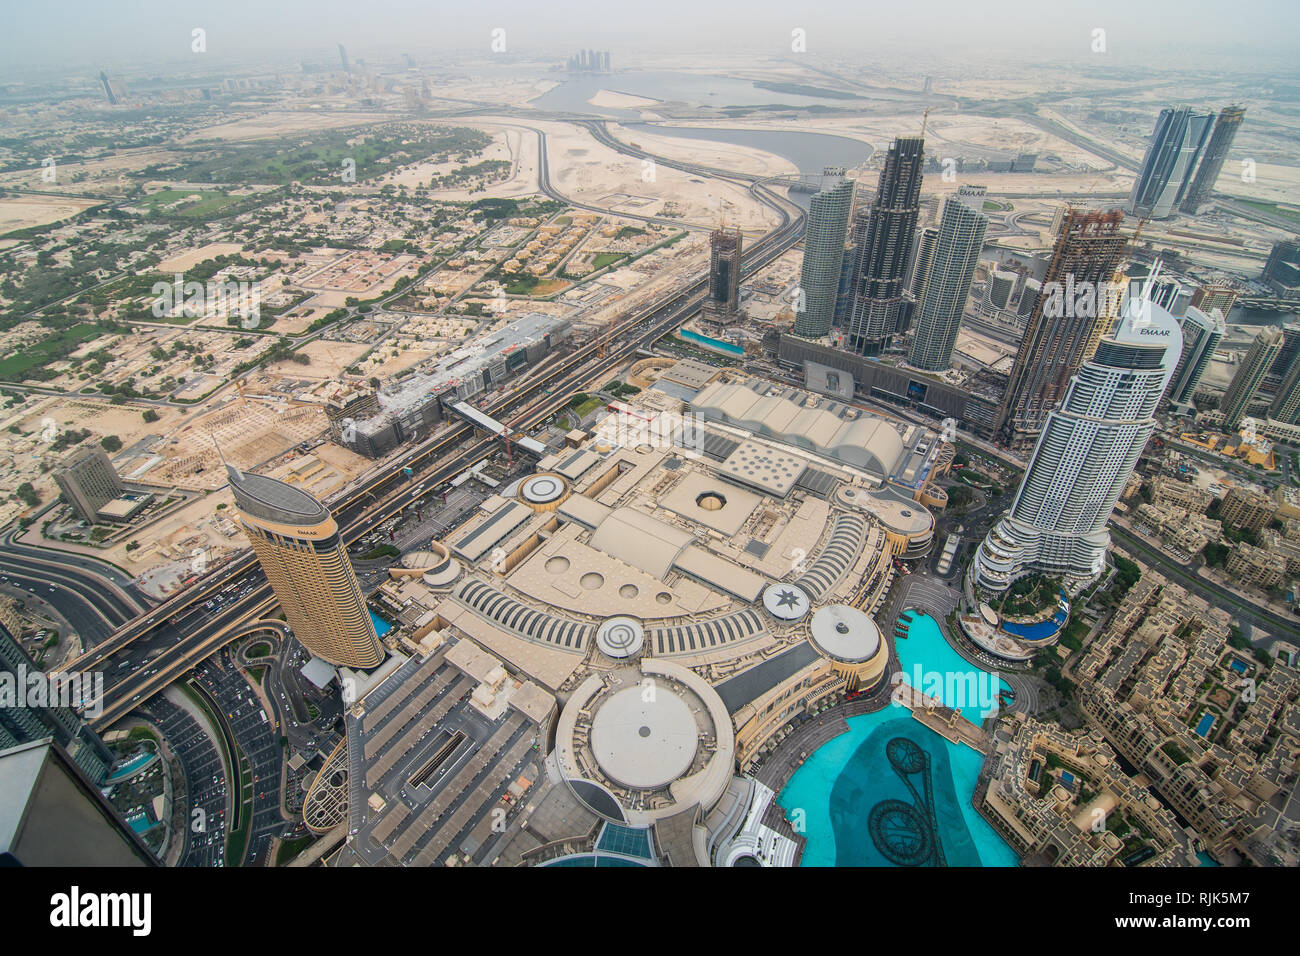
51,815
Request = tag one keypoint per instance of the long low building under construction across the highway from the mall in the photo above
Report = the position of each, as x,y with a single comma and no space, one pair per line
374,422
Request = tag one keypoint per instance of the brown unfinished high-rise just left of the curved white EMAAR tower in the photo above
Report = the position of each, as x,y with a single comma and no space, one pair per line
1074,309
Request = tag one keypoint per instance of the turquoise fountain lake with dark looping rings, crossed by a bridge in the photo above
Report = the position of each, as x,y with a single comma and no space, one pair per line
892,793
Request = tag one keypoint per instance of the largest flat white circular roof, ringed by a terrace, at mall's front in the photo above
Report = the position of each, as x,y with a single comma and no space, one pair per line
644,741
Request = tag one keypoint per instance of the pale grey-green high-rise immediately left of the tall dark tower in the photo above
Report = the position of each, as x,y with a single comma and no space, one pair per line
824,253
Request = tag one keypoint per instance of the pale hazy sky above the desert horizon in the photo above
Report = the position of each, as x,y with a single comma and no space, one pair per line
77,36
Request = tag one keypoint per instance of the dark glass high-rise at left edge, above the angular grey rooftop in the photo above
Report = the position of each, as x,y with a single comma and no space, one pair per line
23,723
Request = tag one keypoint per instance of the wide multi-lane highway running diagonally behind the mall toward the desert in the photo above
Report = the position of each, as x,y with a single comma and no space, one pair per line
149,654
